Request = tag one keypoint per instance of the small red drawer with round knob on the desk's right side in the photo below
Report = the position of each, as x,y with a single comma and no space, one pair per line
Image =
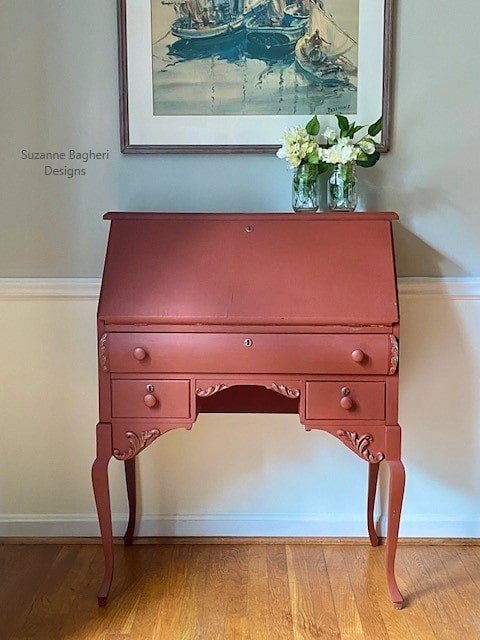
345,400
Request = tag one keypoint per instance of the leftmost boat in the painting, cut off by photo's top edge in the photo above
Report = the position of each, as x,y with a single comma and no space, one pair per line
202,19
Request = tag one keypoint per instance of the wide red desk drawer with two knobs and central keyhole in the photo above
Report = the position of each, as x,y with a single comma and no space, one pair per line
247,353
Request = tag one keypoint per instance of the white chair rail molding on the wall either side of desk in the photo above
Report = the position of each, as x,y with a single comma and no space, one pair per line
464,288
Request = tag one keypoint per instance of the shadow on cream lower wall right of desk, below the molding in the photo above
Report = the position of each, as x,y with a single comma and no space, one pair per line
439,389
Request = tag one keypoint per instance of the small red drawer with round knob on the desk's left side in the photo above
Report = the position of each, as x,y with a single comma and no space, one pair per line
150,398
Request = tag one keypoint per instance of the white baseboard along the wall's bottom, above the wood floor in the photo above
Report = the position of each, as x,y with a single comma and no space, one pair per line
246,525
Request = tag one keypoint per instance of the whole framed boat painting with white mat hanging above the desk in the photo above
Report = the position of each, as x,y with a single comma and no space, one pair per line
229,76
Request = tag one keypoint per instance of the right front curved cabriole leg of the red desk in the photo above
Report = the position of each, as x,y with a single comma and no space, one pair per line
395,498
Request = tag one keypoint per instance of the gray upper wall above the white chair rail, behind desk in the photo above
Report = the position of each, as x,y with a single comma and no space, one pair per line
58,90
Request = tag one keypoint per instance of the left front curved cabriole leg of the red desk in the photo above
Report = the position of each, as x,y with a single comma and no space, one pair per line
102,500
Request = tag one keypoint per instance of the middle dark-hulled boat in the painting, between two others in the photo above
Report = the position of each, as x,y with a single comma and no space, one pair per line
272,31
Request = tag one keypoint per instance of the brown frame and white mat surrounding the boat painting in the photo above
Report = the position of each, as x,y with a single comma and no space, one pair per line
143,132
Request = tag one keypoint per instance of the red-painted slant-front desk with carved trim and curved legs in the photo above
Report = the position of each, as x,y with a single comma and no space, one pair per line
255,313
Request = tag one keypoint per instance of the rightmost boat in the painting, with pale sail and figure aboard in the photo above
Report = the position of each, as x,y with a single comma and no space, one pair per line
322,53
